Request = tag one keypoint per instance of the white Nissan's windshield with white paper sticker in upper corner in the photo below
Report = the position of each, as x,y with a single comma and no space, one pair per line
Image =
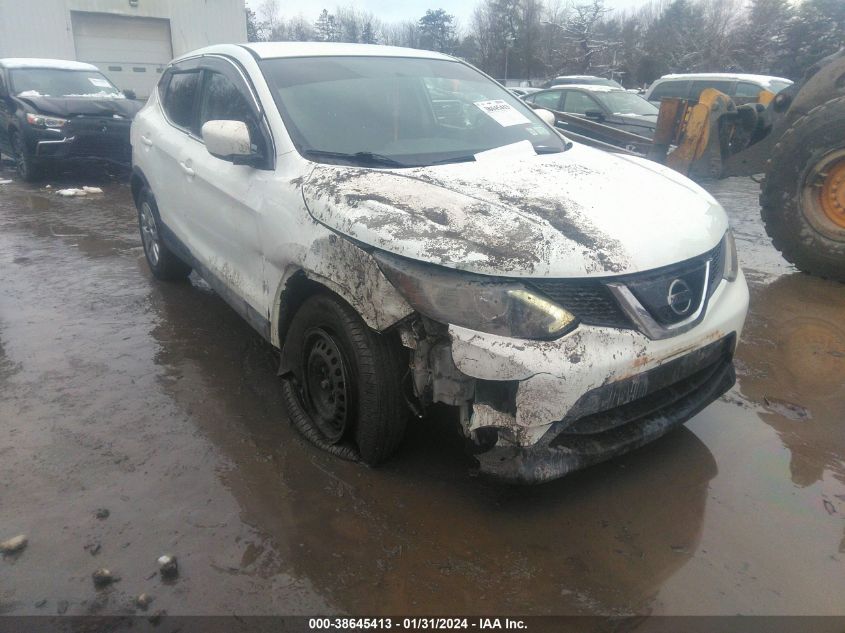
400,111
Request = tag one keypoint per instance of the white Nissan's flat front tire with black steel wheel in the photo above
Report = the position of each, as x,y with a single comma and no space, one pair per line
360,414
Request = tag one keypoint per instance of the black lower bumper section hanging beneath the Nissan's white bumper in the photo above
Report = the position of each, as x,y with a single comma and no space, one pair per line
634,412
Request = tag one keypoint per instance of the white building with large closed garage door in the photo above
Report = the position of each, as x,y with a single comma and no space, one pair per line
129,40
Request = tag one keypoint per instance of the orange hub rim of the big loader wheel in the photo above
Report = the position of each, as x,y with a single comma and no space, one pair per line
824,196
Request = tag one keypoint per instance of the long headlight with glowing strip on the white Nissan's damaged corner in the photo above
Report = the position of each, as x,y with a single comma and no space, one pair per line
476,302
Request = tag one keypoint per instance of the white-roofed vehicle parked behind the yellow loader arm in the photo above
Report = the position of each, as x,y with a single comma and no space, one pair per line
739,87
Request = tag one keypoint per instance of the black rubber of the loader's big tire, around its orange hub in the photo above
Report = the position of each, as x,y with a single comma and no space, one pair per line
782,181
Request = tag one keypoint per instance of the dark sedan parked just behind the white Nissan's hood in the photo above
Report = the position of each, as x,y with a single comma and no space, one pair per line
615,107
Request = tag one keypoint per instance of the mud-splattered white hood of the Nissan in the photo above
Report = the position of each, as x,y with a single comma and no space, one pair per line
579,213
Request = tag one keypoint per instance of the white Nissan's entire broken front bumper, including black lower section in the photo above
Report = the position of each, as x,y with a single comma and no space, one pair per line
547,408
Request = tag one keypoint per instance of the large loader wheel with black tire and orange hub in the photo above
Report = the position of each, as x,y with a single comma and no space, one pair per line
799,198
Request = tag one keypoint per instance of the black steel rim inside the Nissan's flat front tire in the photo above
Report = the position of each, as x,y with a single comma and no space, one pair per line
325,384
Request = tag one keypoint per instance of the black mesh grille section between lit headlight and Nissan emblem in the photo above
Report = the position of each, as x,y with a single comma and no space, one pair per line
588,299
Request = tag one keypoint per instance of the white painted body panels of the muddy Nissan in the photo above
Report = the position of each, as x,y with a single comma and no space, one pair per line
617,215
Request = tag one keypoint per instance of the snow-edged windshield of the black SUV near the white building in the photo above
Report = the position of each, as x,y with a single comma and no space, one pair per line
54,82
